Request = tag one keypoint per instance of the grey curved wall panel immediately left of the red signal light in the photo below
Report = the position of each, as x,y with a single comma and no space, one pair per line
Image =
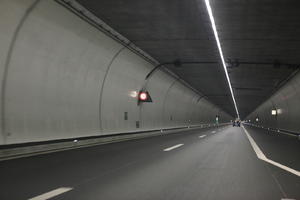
126,76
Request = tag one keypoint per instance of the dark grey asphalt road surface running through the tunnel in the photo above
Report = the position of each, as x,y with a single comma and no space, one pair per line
210,164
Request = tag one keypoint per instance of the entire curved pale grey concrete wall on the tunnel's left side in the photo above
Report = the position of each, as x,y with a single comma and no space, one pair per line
63,78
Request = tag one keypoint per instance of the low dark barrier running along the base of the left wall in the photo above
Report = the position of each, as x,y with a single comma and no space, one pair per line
12,151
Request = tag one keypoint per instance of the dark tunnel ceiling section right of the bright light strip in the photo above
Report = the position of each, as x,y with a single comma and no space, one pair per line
258,32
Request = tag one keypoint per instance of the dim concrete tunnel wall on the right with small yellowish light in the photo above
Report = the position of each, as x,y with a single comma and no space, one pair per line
287,103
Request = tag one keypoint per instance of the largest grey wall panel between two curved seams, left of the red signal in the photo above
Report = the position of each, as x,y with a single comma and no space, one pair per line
54,76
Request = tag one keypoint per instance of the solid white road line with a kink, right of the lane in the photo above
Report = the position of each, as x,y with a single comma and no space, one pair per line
262,156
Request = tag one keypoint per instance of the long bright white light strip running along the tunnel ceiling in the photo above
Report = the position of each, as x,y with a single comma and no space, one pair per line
212,20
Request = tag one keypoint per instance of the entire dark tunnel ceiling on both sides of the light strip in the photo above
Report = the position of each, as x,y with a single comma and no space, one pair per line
259,41
